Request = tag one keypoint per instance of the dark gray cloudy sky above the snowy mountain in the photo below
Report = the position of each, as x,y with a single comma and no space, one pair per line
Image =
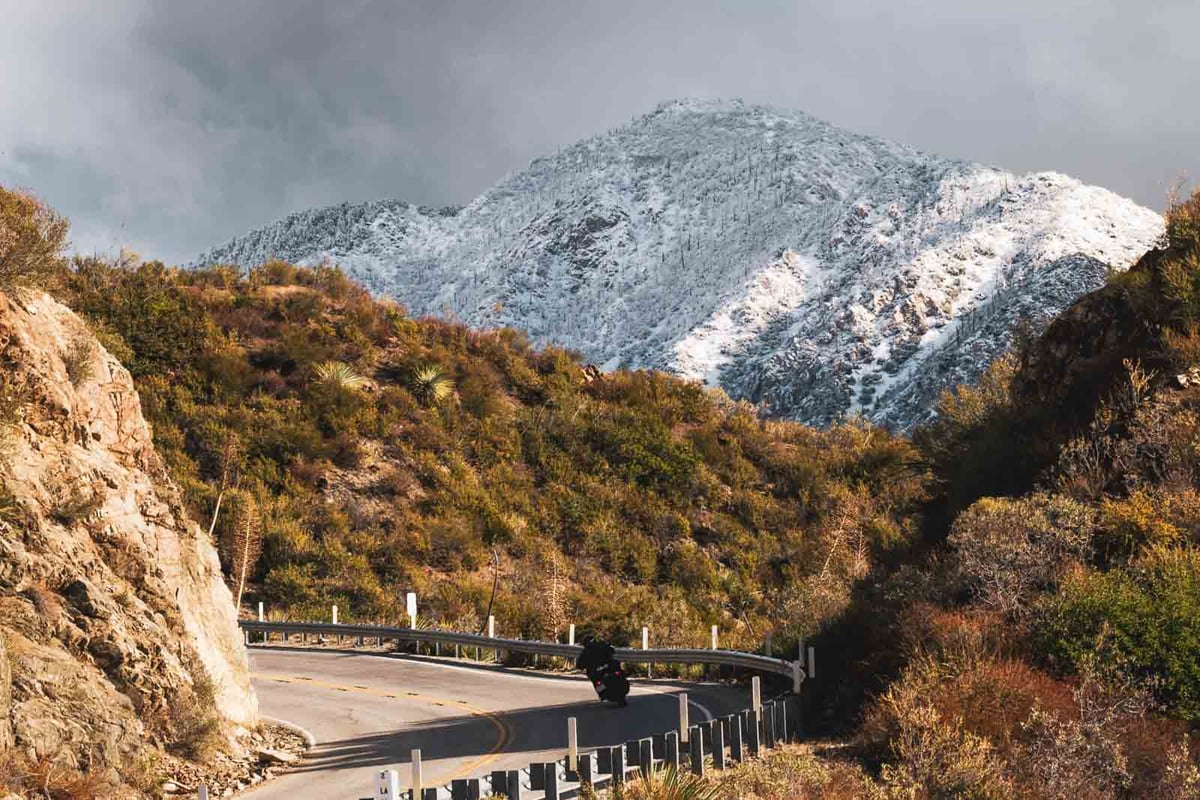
171,127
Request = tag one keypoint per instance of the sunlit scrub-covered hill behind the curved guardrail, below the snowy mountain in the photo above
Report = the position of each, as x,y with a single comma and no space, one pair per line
379,454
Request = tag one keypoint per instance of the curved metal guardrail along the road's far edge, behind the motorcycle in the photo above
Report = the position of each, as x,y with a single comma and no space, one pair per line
753,661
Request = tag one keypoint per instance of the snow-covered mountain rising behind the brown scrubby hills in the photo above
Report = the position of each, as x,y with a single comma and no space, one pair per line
814,270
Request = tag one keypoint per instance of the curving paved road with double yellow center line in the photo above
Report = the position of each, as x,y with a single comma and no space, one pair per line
369,712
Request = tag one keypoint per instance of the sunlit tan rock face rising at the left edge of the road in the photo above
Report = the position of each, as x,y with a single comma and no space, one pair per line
117,622
